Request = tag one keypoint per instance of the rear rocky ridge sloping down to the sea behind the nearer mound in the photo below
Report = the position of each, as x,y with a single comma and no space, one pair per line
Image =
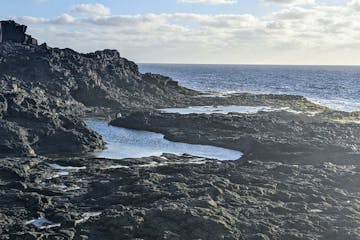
99,79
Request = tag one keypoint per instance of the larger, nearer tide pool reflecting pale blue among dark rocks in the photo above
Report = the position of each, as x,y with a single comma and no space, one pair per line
127,143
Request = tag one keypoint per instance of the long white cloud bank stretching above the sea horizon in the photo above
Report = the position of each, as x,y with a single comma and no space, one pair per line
325,34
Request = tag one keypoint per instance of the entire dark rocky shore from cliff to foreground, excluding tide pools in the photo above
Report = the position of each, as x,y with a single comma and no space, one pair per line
298,179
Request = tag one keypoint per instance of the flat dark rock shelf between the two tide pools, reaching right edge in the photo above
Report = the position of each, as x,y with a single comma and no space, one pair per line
269,136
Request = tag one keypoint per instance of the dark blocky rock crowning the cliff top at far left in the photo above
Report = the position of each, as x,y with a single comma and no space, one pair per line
11,31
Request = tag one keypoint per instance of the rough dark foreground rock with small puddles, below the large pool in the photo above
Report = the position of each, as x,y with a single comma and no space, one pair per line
172,197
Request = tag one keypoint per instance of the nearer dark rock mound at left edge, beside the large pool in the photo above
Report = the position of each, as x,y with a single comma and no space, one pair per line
34,122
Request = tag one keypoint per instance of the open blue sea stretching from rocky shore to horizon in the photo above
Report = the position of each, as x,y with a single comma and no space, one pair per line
337,87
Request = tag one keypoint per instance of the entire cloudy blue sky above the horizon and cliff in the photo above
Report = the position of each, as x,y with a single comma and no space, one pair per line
199,31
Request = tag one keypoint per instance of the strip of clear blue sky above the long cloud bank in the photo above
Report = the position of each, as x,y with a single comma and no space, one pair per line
50,8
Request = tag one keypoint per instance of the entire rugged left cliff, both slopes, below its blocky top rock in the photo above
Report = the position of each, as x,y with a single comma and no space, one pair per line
44,90
